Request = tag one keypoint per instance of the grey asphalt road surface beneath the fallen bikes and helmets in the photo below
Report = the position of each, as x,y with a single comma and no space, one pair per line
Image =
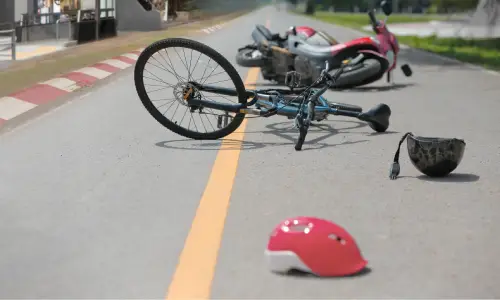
97,198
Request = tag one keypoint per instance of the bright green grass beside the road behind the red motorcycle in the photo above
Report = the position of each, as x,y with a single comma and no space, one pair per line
483,52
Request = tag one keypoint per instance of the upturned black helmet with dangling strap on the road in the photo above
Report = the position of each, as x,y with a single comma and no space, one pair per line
435,157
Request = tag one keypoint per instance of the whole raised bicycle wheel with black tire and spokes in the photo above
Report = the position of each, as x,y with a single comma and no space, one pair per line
195,54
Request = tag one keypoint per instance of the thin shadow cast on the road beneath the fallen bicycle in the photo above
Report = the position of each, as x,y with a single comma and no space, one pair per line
286,136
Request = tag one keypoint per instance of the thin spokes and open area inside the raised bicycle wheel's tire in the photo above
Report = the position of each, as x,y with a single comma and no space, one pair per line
168,73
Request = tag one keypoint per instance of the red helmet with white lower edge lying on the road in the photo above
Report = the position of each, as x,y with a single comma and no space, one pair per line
313,245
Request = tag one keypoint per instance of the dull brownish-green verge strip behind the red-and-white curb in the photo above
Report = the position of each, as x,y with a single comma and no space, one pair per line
22,74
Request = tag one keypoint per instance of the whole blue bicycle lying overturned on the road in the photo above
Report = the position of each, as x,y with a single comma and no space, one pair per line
304,105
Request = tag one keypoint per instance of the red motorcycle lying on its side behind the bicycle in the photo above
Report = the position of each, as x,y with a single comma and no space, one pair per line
304,51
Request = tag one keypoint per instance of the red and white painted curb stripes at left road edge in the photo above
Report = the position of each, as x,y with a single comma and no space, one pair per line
48,91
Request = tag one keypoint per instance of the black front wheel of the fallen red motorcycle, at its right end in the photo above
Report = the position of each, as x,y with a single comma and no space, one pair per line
359,75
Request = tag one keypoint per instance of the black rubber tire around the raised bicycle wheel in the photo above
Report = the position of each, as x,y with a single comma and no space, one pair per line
209,52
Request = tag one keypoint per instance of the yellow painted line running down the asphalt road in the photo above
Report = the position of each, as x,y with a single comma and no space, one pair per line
195,269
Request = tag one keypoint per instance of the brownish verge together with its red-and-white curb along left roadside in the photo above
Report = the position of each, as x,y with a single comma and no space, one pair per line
33,86
